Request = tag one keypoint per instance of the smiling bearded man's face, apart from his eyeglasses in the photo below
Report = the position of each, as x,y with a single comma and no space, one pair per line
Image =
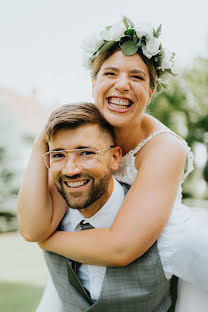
84,188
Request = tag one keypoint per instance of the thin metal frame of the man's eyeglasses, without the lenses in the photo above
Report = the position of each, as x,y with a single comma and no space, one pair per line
72,151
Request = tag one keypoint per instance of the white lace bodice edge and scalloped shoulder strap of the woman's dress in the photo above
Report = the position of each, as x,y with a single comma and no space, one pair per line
127,172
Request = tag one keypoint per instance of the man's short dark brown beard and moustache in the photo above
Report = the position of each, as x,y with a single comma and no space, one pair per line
91,192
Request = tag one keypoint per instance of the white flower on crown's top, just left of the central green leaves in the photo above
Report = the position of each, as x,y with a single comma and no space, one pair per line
114,33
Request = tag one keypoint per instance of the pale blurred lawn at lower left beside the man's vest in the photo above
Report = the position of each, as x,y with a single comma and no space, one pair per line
23,274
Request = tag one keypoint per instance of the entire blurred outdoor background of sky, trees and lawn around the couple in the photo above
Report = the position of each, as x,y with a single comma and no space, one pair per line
41,68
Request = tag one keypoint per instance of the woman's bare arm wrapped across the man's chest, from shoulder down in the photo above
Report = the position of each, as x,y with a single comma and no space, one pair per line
142,216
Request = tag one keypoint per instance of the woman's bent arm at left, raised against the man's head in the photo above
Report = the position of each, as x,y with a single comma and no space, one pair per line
37,197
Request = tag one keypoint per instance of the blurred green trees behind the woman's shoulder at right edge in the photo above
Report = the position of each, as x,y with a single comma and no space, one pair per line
183,107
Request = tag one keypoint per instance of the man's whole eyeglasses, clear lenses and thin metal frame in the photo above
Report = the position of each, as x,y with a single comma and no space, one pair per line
83,158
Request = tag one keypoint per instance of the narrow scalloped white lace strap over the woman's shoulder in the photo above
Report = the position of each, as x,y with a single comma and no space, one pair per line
190,155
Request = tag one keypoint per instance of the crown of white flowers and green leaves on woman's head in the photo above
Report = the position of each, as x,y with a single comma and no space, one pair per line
131,38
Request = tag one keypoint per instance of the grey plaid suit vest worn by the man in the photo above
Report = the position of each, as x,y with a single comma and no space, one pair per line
139,286
